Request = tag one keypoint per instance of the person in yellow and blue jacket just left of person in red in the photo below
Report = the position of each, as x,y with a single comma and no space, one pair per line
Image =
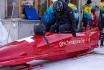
87,15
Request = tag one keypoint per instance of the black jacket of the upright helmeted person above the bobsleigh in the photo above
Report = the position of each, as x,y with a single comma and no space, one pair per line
67,17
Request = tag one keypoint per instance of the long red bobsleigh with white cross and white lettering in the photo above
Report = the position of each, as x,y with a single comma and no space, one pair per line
53,46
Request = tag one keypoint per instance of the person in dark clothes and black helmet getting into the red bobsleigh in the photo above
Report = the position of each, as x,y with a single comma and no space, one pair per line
65,20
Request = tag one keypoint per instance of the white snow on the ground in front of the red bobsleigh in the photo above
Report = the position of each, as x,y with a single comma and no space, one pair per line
87,62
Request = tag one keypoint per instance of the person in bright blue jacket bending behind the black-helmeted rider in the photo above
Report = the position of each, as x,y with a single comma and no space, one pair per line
48,18
